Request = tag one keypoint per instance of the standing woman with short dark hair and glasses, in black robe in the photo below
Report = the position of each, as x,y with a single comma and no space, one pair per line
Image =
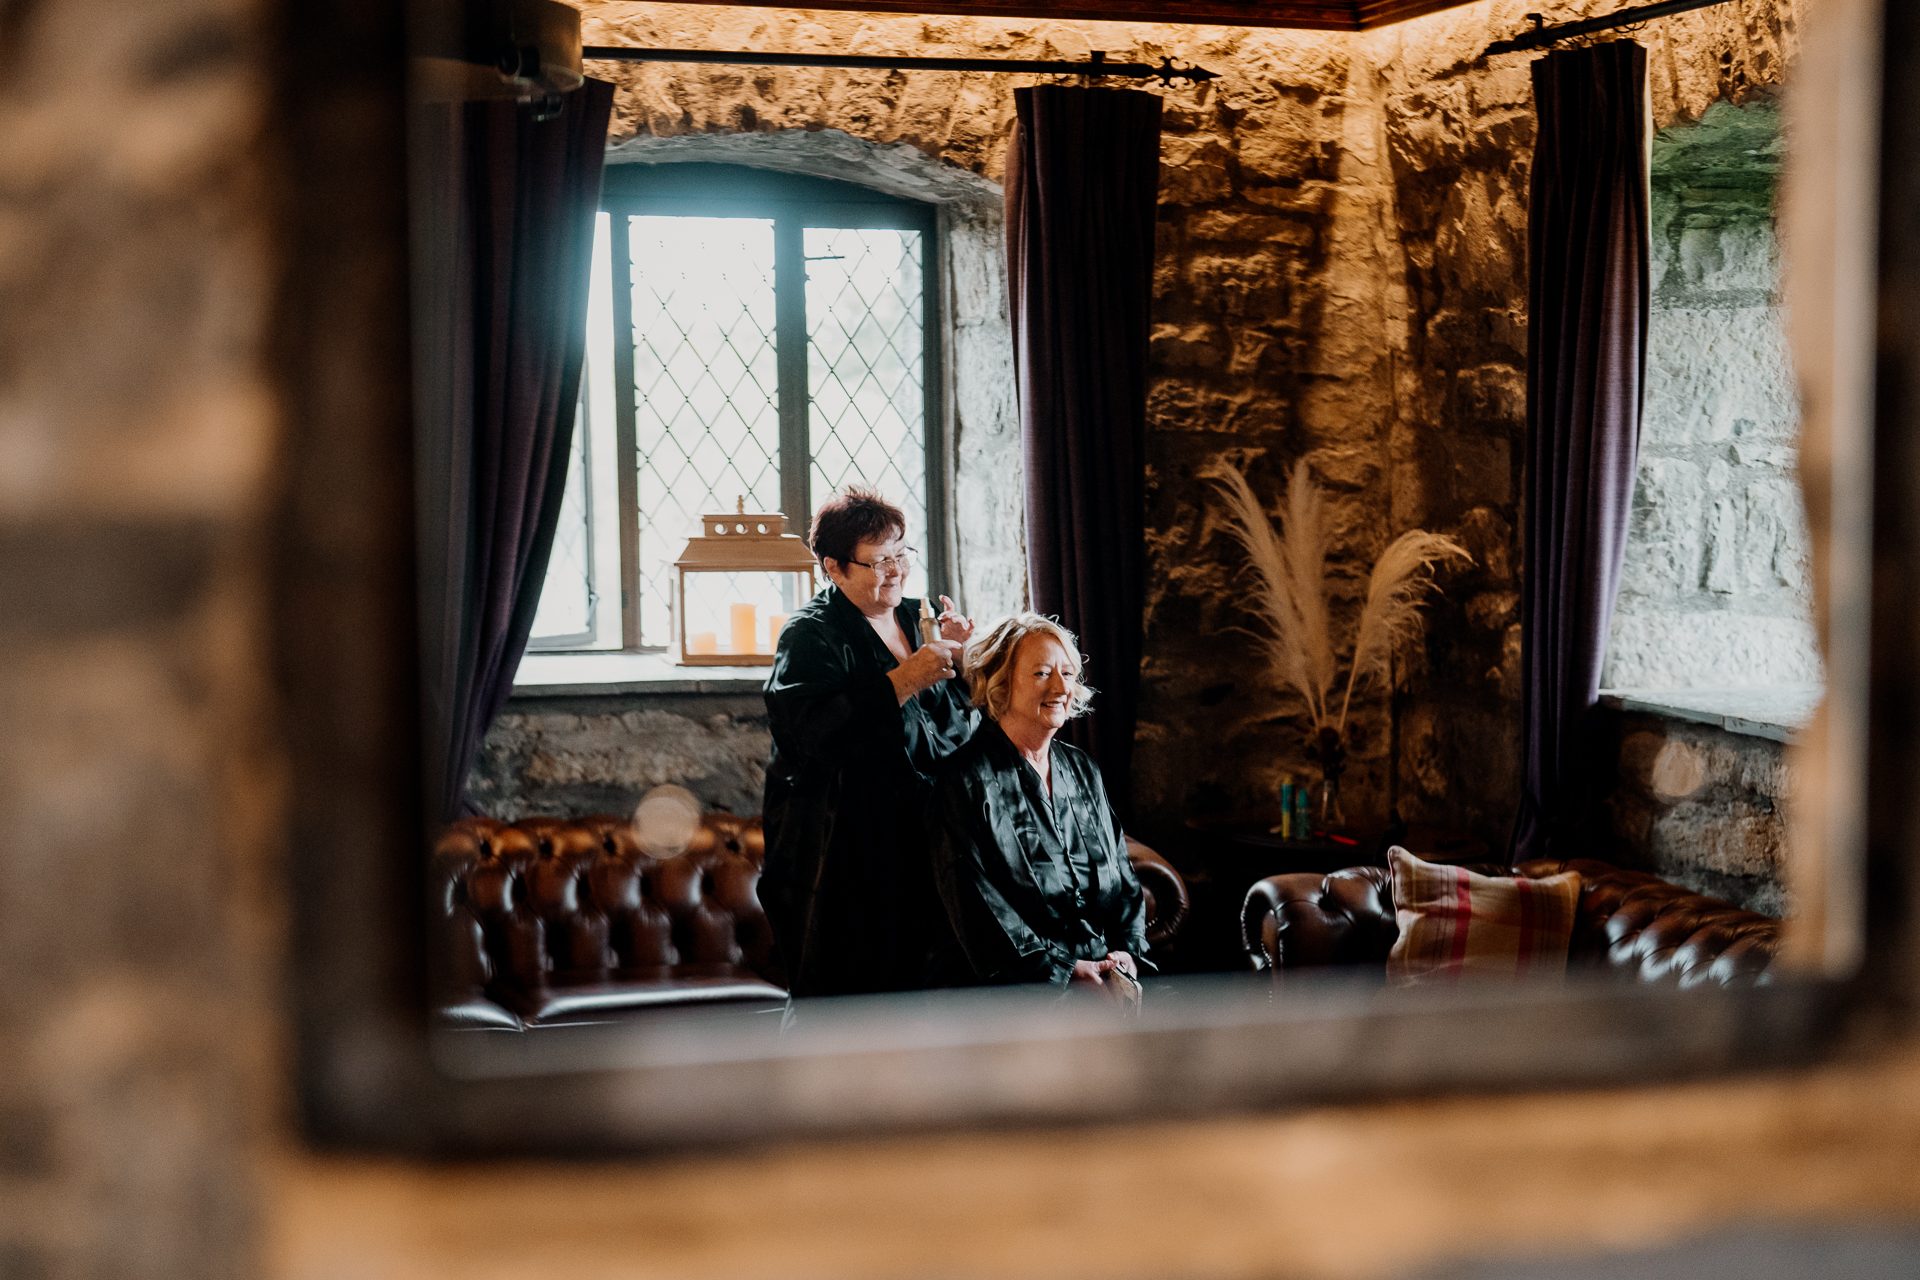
861,715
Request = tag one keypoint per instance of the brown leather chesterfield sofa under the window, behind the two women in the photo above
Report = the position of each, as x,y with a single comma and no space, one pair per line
567,920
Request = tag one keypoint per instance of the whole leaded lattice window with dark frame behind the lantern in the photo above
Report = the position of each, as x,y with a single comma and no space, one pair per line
767,339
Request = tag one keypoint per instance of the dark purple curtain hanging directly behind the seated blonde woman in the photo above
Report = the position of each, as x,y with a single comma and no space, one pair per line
1082,193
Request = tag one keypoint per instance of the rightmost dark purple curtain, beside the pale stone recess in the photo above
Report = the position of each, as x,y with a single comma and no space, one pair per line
1589,300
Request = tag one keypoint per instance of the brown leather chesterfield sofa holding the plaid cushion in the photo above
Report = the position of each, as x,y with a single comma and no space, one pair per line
1629,924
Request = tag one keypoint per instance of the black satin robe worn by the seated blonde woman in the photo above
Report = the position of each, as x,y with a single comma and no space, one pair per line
1030,882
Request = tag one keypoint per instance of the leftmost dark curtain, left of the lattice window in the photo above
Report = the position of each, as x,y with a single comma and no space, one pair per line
504,250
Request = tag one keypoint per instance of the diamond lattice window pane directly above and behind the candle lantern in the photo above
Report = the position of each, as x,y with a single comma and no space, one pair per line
706,387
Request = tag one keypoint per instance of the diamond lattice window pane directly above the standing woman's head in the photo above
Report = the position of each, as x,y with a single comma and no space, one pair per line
867,371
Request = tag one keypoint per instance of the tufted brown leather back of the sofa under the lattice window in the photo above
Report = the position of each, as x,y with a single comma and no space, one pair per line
542,897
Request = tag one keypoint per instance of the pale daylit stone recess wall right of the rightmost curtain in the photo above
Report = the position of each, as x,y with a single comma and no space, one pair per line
1717,586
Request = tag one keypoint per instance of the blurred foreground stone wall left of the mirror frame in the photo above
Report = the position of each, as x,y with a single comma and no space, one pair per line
141,770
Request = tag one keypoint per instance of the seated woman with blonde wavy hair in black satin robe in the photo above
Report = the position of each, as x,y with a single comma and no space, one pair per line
1028,855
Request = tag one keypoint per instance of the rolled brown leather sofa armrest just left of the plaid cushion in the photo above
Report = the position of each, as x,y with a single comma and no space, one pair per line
1308,920
